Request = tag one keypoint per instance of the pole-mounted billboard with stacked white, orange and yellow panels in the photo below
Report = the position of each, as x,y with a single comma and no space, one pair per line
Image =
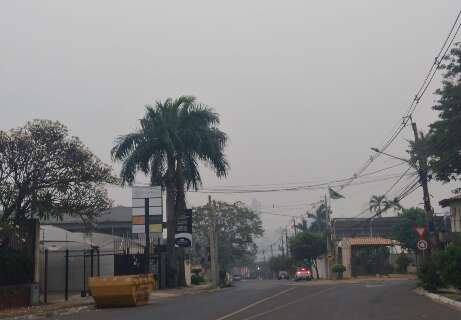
155,198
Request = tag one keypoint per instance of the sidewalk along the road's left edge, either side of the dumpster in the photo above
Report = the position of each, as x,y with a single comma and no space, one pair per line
57,306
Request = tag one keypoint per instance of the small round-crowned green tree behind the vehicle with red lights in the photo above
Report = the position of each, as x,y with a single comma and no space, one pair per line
307,246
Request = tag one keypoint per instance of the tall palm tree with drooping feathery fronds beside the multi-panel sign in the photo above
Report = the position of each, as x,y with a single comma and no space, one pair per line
175,136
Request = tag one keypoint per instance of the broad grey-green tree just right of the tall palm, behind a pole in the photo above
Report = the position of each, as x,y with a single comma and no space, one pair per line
238,227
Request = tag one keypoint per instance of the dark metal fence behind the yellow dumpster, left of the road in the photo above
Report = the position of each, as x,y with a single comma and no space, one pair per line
66,272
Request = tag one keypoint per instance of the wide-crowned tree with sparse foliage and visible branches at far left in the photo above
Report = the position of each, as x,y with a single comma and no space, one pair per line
45,173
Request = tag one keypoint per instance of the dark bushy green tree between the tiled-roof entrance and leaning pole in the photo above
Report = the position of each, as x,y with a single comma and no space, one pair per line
404,230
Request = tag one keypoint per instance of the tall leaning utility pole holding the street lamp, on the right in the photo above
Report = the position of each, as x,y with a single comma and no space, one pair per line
422,171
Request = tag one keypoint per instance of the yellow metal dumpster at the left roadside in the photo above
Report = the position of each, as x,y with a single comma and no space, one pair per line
121,291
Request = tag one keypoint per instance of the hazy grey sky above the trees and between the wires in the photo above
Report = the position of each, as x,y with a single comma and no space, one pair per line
304,88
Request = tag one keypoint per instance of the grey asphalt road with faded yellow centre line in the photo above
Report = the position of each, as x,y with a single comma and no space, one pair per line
284,300
